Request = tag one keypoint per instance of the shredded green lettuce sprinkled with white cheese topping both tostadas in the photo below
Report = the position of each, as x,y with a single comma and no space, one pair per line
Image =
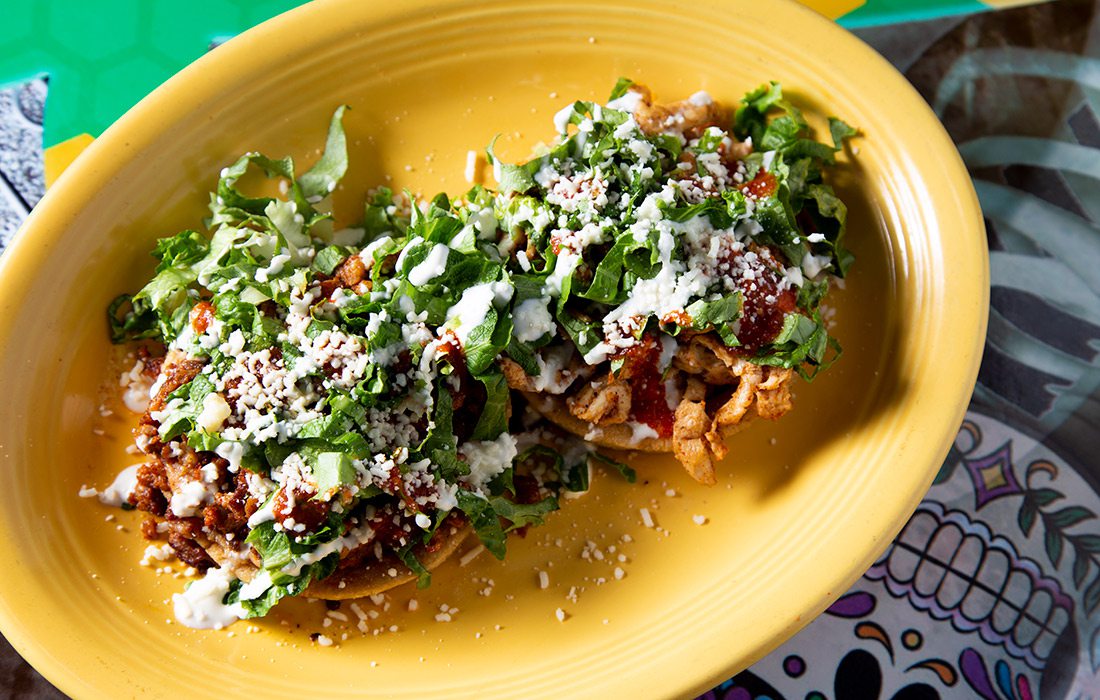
574,261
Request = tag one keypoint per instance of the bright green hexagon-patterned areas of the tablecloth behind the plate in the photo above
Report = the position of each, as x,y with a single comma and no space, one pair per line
103,57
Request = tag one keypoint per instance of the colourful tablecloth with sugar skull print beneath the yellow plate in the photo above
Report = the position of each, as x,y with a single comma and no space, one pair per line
993,589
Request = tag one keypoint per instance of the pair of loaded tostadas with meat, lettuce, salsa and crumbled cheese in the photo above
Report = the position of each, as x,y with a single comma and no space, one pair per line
331,412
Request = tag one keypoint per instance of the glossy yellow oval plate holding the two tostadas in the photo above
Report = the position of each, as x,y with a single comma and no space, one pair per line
804,506
